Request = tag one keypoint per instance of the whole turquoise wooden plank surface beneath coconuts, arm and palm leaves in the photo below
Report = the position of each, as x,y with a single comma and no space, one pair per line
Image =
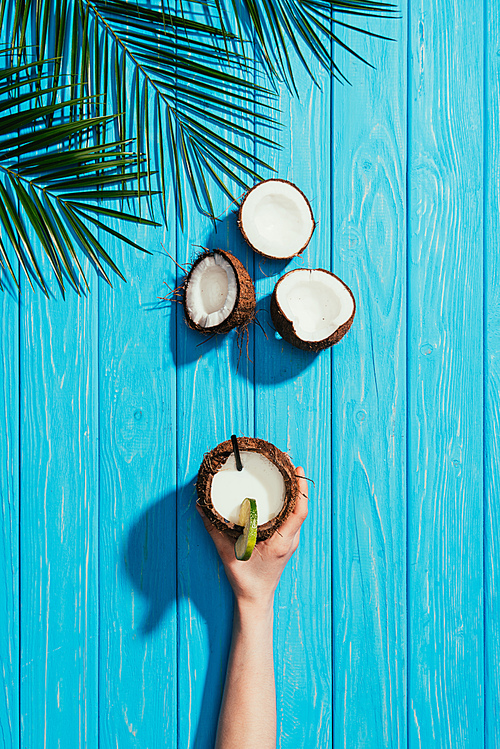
115,610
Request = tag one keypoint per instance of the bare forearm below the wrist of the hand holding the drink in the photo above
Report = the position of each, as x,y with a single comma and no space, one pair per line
248,712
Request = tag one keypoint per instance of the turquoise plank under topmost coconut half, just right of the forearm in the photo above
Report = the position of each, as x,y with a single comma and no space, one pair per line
293,411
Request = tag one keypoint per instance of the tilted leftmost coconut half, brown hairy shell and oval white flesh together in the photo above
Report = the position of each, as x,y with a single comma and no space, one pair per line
218,293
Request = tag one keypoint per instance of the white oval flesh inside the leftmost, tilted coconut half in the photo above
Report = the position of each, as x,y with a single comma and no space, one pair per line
211,291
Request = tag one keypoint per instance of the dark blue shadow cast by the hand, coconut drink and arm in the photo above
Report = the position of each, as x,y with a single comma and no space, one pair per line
162,571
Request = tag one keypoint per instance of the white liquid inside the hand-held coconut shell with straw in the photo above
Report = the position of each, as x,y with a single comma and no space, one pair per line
260,480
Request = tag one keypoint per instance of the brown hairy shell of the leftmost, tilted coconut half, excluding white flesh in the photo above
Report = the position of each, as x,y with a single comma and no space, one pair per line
243,311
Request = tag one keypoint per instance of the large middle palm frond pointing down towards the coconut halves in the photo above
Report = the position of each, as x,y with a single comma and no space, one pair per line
155,65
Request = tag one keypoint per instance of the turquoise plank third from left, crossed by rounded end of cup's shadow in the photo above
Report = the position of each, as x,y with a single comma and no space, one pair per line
137,559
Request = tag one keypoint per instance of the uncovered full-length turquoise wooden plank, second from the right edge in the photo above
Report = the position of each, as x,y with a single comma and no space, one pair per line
445,387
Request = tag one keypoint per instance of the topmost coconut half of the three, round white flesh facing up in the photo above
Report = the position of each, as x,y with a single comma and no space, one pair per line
276,219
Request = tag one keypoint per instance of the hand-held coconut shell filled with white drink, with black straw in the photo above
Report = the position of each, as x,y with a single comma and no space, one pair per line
268,476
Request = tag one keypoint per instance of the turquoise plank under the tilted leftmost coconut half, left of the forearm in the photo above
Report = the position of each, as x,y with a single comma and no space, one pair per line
215,400
